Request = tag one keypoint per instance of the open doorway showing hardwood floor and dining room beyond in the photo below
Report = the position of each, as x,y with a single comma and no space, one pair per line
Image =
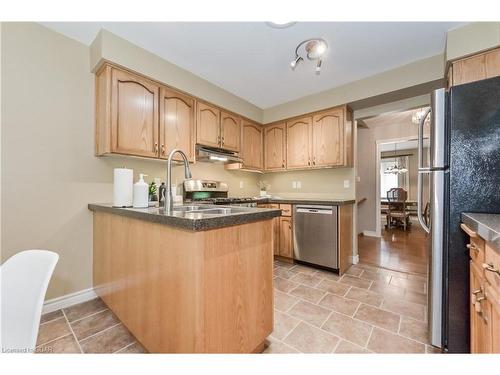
393,238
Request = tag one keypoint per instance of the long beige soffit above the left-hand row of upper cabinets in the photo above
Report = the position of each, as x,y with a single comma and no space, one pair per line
110,47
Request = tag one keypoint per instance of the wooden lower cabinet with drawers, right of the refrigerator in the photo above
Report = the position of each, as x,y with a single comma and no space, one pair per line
484,297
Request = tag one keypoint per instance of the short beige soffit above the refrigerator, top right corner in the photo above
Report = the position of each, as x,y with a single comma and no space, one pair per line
472,38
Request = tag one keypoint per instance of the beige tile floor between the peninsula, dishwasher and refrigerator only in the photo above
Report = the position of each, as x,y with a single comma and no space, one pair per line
368,310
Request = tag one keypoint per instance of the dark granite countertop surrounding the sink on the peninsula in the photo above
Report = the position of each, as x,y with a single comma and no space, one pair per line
195,221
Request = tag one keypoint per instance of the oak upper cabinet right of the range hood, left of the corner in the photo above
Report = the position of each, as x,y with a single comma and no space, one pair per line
252,143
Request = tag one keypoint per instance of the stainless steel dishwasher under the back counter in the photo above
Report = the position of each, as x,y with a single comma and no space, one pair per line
315,235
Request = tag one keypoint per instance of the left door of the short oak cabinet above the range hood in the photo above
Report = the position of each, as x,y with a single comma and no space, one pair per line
208,125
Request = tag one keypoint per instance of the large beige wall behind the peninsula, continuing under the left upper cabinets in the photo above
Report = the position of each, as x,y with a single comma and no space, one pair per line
49,171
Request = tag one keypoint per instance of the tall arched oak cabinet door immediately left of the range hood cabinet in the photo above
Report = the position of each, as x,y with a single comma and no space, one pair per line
176,123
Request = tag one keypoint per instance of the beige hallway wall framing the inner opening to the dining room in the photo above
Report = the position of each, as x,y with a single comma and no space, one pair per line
367,168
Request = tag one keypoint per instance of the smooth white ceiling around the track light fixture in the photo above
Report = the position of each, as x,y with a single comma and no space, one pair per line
251,59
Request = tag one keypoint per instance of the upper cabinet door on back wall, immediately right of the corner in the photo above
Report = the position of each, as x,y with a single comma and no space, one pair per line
275,147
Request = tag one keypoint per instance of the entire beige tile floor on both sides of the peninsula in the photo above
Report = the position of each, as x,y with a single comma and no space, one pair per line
369,309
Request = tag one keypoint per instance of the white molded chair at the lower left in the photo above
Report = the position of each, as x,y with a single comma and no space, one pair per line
24,279
